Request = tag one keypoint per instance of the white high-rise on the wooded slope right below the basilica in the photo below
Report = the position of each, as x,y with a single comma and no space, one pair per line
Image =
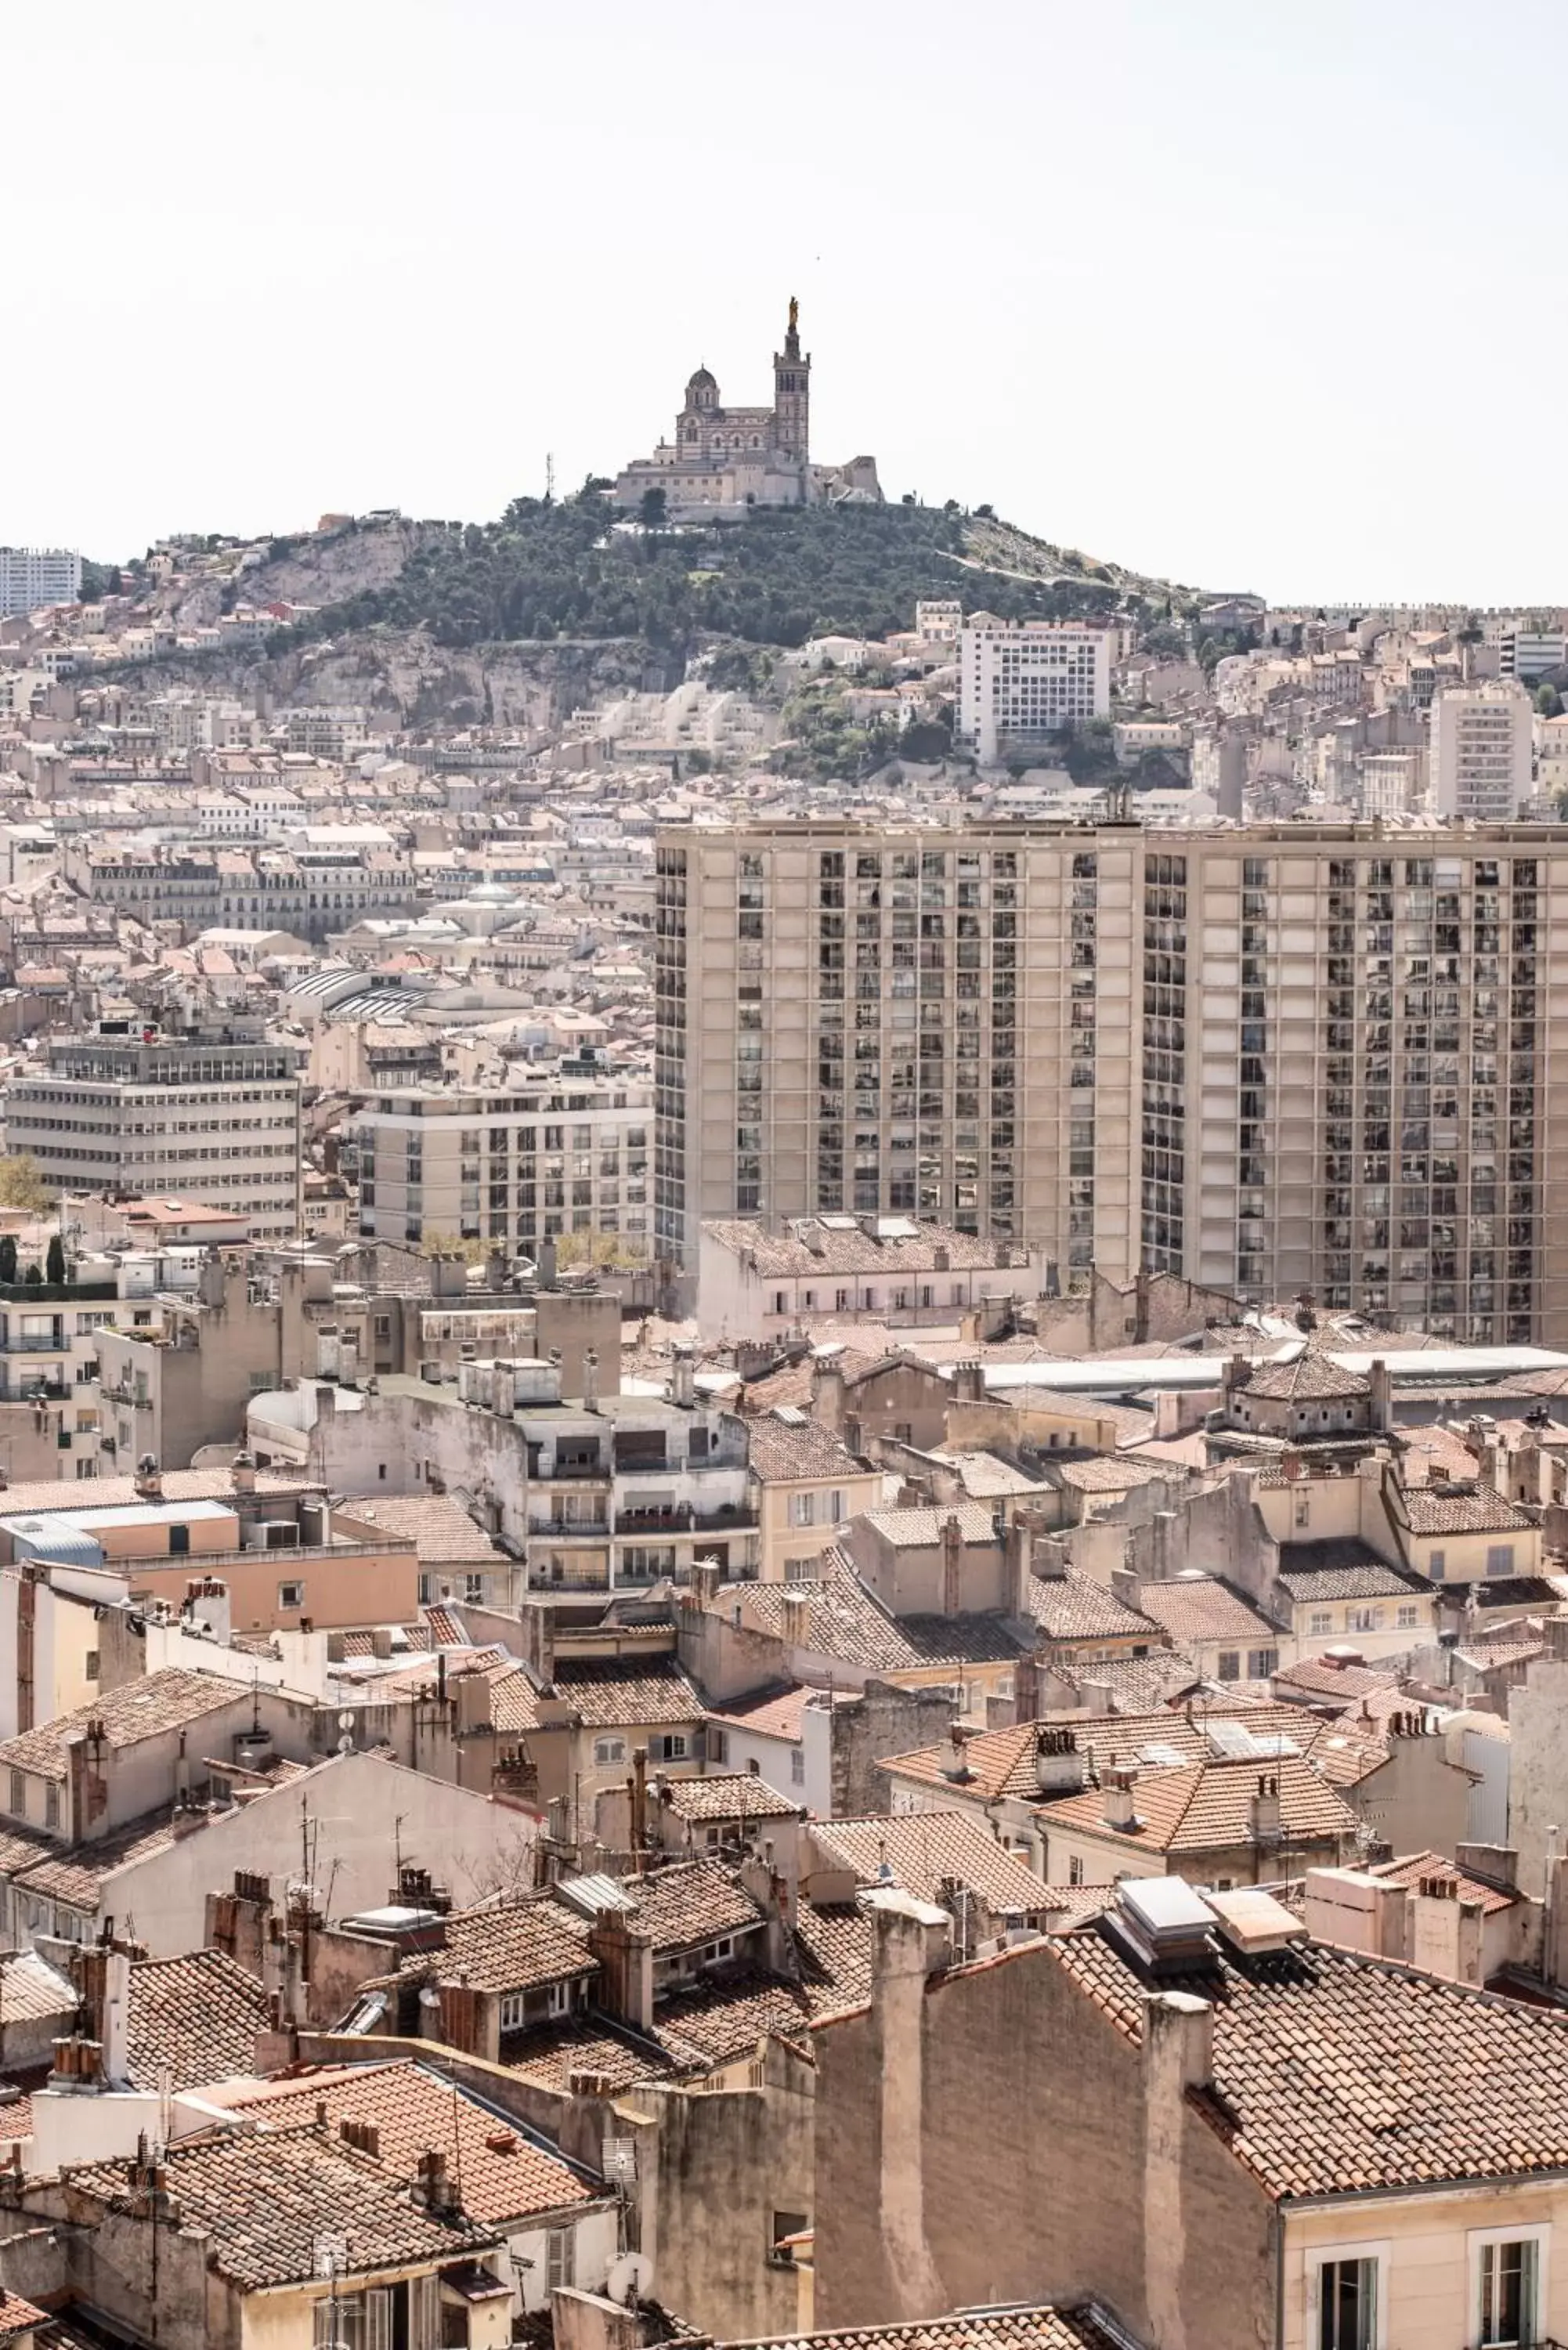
1019,685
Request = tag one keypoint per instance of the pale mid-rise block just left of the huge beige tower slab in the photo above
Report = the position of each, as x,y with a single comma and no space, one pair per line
551,1157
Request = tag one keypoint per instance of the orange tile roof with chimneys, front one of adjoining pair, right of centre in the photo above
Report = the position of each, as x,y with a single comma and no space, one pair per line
1209,1808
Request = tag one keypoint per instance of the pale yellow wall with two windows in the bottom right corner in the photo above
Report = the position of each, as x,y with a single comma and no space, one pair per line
1428,2262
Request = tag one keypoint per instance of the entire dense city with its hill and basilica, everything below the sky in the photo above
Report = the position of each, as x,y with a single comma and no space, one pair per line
782,1385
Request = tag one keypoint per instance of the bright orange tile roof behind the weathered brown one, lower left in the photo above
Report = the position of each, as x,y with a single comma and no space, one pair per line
507,2175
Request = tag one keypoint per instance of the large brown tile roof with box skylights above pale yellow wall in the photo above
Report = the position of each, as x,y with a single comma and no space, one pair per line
1336,2074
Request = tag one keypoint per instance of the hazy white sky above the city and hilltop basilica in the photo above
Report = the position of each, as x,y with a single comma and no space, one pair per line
1254,297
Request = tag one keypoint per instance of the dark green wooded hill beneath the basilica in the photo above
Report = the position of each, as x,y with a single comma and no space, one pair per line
565,570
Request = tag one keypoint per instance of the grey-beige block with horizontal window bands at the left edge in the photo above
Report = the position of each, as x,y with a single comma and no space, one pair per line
213,1115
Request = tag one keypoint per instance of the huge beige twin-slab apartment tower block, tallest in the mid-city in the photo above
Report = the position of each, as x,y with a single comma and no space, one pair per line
1273,1061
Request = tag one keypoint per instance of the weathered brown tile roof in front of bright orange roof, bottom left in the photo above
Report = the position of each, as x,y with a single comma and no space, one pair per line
267,2201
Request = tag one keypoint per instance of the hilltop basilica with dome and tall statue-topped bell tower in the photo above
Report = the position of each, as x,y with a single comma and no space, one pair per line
730,459
